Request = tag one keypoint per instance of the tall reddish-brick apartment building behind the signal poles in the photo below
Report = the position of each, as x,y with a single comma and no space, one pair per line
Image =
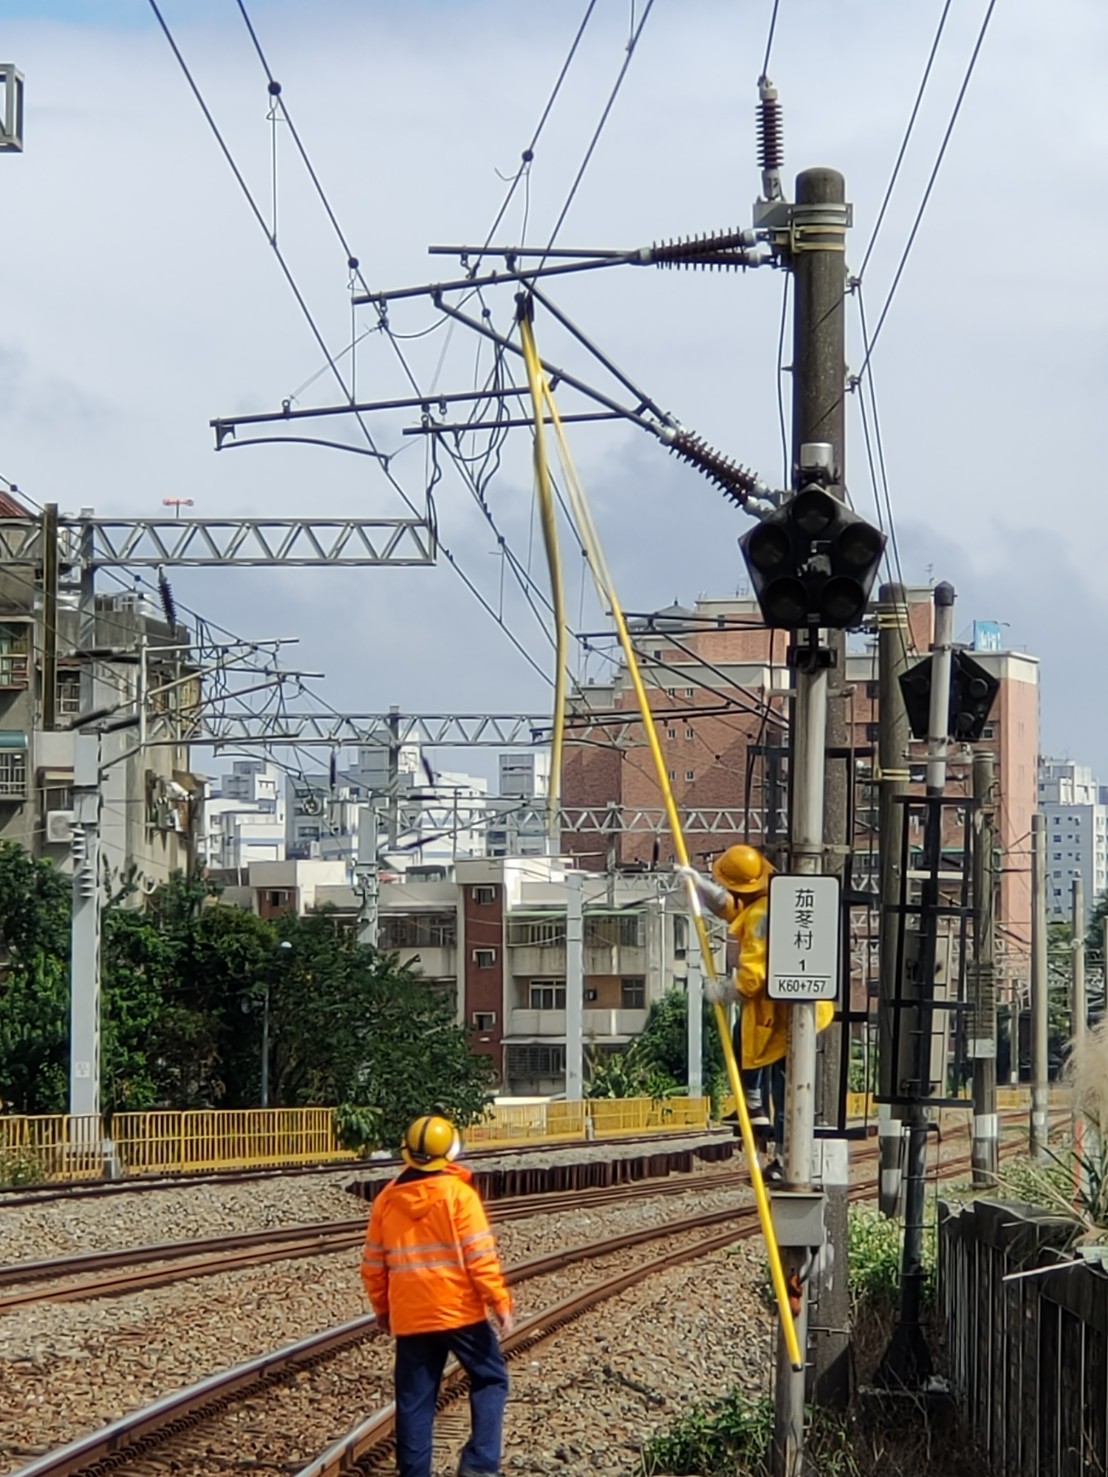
719,688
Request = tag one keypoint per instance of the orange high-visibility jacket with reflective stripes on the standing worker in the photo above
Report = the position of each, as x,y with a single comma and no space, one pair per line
431,1261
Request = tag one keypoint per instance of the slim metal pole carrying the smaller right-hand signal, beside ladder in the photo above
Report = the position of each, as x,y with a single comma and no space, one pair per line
908,1360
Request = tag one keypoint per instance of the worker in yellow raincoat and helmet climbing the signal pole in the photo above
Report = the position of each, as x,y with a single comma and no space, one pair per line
738,893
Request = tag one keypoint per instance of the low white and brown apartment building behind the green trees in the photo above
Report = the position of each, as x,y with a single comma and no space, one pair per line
493,937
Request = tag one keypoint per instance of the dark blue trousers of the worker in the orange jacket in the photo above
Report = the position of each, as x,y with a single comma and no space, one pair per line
420,1360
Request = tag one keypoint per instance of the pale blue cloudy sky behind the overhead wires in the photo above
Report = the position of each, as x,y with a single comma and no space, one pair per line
141,301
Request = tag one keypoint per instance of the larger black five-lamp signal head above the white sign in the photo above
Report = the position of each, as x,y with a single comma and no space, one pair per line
813,563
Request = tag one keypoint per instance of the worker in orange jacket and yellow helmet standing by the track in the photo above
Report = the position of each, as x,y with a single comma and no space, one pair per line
432,1272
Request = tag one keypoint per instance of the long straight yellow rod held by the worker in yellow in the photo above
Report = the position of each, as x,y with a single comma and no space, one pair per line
608,593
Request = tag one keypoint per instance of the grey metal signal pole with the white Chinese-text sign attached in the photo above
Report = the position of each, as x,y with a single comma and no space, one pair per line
810,747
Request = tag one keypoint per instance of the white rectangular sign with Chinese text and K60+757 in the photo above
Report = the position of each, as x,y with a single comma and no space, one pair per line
804,958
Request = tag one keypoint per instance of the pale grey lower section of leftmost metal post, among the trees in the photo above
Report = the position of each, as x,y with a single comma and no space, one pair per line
85,965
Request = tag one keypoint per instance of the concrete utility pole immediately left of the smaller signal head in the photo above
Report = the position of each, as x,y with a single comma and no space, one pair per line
893,751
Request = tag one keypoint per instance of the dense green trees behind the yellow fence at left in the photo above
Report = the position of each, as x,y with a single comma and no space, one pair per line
185,986
